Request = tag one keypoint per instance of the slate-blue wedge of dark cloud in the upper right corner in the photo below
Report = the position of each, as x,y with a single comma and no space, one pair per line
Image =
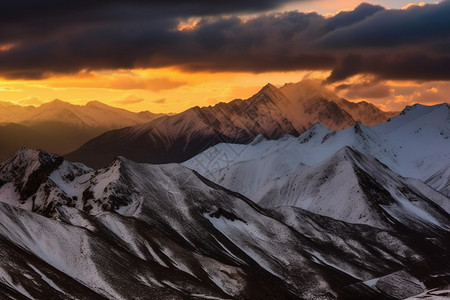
389,28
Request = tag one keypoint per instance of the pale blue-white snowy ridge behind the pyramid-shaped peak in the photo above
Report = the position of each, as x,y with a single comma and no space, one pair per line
413,144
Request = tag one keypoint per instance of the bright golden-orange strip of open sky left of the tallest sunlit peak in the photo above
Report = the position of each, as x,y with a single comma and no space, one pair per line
164,90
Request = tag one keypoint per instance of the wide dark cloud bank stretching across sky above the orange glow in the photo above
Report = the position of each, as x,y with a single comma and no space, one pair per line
65,37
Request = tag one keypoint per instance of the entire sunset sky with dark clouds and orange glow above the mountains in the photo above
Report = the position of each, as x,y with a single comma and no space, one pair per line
166,56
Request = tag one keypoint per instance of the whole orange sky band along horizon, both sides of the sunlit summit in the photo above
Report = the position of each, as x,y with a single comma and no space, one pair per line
170,90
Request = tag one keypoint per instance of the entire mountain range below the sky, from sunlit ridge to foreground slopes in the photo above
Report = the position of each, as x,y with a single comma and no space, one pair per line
293,193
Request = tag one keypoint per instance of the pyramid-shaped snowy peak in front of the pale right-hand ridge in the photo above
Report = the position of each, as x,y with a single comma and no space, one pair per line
356,188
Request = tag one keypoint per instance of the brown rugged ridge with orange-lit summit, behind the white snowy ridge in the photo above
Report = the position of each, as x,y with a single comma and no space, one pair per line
272,112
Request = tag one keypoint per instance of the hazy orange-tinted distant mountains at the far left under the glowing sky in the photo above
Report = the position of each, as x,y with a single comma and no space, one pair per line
60,127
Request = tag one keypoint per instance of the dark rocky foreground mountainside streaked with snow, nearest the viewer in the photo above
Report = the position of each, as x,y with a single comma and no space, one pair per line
162,230
